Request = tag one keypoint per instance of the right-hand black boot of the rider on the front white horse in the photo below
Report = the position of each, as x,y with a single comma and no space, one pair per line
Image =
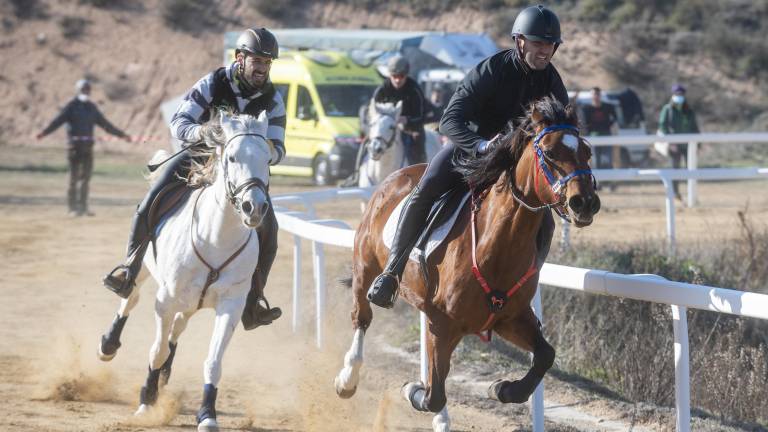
257,311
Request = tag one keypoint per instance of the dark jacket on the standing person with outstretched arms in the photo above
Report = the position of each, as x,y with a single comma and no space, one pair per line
80,118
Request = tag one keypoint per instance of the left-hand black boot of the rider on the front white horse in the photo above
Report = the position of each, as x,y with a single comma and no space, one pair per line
122,278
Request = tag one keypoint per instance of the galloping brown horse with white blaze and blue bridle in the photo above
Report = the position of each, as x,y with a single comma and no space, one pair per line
543,165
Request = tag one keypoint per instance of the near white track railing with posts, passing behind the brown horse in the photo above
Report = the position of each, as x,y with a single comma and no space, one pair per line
652,288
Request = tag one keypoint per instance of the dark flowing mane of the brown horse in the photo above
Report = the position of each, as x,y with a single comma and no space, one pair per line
483,171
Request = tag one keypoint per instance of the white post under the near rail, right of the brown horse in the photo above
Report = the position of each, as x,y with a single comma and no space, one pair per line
682,369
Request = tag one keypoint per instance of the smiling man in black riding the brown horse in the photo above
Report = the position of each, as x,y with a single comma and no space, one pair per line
496,92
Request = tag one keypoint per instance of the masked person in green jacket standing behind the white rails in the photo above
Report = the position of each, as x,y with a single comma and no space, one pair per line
677,117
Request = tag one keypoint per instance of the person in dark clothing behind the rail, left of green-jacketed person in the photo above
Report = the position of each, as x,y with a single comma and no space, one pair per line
598,118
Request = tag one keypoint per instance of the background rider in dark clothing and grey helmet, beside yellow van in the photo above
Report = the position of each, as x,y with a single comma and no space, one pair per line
400,87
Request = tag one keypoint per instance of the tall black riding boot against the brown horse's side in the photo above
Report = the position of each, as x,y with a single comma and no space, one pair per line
383,290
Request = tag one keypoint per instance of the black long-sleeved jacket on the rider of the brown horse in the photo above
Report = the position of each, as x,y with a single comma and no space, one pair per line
498,90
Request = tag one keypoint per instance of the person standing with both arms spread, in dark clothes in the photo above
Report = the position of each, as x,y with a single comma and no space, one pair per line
81,115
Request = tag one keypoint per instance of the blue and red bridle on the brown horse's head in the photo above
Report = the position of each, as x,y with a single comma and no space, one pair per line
557,185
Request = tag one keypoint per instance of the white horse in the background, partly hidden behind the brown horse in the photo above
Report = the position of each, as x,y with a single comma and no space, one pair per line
385,153
